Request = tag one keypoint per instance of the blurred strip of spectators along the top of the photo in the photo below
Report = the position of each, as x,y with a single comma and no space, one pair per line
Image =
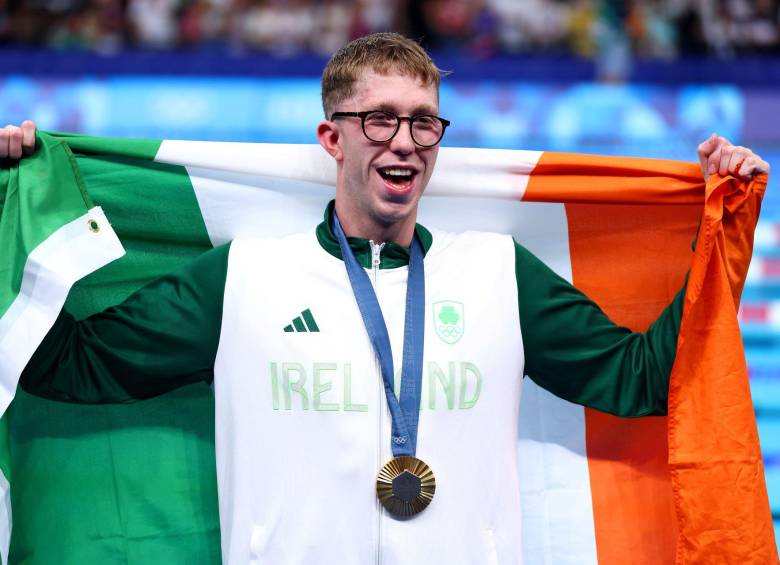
586,28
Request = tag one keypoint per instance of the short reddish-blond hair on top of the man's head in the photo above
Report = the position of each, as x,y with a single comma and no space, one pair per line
382,53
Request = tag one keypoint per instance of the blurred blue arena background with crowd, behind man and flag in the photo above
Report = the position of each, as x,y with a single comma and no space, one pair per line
651,78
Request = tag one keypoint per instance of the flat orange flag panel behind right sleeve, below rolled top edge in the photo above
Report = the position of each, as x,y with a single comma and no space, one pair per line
631,260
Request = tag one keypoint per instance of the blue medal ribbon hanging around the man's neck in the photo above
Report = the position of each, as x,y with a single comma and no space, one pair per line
405,412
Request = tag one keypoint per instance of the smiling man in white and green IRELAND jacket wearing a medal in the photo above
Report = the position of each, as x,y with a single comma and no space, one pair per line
302,418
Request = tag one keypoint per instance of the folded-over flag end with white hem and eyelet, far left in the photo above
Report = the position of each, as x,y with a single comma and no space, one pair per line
51,235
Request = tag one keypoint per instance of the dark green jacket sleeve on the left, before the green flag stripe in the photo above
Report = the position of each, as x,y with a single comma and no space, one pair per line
162,337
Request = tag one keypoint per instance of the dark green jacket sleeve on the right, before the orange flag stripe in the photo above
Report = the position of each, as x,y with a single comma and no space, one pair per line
576,352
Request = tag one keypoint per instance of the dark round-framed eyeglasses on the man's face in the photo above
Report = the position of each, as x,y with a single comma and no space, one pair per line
381,126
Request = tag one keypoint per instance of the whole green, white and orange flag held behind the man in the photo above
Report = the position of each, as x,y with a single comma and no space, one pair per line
136,483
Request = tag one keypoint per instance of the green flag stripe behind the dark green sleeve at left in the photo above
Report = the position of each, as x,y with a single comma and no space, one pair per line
133,483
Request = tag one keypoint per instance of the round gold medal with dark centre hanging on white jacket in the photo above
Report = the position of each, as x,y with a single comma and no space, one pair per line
405,486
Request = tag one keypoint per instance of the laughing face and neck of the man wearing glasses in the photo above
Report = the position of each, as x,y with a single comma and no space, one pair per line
382,172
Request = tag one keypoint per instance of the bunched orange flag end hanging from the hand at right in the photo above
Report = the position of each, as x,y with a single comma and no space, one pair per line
717,472
